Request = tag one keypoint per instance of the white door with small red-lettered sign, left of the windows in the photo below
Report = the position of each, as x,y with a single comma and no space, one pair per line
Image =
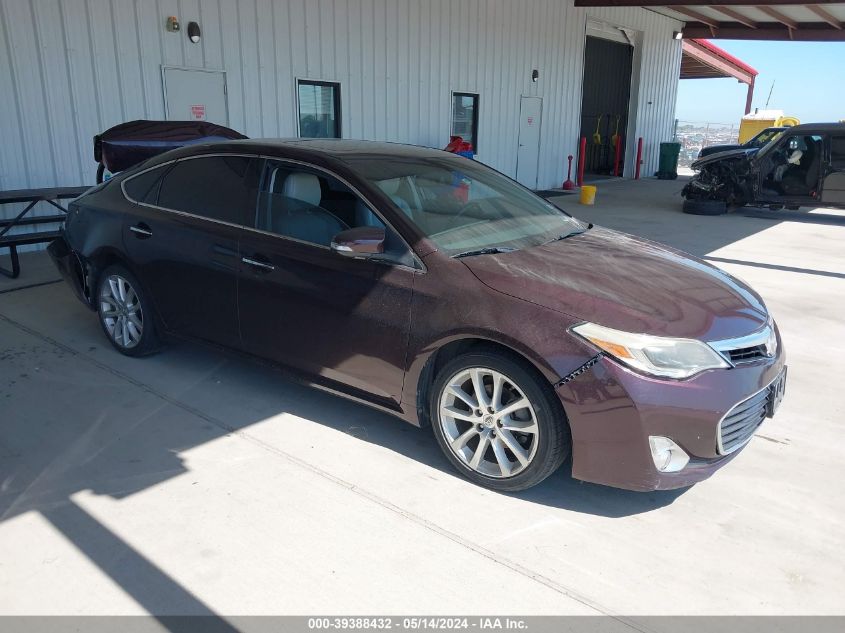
196,95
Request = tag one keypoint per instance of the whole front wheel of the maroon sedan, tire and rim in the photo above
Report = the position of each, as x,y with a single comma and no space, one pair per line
497,421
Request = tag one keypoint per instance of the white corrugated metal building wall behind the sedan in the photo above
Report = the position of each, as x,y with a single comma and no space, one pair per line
72,68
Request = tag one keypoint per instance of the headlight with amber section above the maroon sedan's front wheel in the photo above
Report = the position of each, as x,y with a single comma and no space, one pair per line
655,355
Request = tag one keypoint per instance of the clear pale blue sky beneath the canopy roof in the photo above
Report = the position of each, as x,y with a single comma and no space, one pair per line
809,83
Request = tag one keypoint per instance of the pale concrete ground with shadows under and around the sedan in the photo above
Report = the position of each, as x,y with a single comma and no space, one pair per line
196,482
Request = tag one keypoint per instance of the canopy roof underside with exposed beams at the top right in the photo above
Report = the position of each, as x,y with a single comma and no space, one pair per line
821,21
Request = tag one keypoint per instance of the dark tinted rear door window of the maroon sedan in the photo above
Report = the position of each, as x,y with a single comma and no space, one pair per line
222,188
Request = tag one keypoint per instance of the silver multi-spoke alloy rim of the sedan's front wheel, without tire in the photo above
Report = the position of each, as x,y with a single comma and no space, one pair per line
488,422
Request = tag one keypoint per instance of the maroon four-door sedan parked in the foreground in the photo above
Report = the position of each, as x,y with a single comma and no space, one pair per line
434,288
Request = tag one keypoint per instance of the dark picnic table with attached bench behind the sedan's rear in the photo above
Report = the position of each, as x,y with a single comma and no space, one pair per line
32,197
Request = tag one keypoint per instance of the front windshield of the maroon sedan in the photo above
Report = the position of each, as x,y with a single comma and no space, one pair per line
463,206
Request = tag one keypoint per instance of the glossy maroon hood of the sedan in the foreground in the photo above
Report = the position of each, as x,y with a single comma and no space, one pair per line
627,283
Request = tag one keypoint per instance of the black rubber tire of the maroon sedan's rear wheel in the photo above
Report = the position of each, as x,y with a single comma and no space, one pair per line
148,342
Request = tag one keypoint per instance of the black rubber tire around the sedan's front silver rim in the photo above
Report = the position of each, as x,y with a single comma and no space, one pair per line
552,439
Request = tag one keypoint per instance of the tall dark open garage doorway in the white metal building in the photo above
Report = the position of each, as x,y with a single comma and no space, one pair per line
608,63
